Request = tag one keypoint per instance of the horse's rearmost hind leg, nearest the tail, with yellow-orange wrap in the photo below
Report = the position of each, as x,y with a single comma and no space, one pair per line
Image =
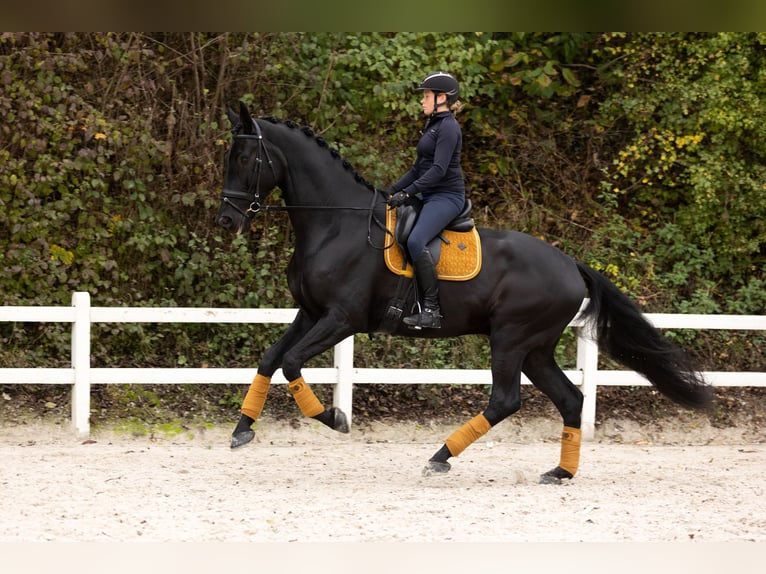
546,375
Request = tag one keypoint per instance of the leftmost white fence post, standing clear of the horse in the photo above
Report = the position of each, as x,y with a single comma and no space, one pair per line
81,363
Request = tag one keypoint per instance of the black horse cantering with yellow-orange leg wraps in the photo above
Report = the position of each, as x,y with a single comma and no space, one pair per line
524,296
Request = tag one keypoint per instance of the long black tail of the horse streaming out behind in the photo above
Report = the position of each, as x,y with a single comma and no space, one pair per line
625,335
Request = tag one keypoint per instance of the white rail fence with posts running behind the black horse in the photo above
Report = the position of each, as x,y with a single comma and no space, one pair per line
342,375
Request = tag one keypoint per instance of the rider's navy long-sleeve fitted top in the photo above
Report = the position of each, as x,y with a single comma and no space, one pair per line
437,166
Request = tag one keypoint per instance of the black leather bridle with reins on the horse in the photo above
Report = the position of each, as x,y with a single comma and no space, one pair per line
253,193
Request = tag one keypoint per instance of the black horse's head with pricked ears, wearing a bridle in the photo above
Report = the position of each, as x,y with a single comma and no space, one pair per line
248,173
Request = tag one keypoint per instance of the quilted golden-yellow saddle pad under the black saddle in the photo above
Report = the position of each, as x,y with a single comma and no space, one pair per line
460,259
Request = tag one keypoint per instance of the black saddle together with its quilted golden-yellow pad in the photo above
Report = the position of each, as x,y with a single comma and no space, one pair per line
456,250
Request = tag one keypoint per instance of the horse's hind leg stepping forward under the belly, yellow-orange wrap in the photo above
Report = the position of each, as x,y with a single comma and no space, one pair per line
504,400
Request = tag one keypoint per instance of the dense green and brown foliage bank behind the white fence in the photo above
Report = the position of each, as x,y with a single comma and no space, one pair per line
642,154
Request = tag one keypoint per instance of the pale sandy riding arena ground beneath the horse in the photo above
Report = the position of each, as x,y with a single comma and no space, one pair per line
305,483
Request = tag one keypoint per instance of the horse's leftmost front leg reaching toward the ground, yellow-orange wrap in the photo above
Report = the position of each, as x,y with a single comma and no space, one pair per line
270,362
